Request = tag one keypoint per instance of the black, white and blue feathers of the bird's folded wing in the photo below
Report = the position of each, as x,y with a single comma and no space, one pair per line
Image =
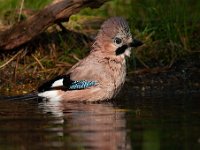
65,83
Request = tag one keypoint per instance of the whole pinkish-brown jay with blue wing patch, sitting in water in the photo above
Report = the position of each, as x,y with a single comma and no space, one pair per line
100,75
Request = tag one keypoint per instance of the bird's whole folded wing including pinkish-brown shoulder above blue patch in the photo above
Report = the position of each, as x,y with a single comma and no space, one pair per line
84,74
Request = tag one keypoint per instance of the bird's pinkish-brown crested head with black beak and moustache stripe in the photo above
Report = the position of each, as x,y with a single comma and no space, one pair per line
114,38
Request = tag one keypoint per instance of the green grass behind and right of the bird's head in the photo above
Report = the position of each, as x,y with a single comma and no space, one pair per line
169,28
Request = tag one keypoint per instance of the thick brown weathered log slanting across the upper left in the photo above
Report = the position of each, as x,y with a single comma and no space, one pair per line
24,31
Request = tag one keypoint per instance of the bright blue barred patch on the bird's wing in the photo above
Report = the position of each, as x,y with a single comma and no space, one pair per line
77,85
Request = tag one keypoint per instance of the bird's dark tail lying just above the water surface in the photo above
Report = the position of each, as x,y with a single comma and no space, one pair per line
30,96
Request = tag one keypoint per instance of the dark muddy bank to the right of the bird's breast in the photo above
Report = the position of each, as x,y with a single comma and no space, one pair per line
182,77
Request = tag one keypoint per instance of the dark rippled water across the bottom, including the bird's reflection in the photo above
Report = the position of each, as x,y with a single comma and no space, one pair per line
141,123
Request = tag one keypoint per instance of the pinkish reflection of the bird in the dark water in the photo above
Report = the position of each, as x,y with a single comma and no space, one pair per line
90,125
